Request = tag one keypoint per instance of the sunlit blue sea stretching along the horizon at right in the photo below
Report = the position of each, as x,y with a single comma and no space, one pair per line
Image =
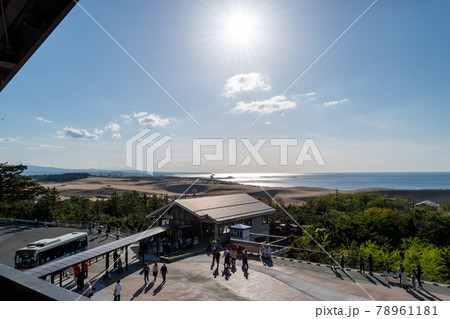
341,181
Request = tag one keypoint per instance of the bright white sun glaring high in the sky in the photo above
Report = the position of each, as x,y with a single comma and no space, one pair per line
240,27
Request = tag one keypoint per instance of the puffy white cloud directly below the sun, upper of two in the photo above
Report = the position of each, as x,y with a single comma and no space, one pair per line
245,82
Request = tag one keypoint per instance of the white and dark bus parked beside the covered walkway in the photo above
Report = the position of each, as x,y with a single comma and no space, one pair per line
46,250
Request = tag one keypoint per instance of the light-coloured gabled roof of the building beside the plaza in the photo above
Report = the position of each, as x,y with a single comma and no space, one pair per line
221,208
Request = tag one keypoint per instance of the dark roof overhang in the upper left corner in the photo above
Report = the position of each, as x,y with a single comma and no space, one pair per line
28,24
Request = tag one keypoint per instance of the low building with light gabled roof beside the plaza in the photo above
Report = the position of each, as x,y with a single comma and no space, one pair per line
198,219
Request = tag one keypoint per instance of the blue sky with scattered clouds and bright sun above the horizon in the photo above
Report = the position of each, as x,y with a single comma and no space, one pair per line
371,93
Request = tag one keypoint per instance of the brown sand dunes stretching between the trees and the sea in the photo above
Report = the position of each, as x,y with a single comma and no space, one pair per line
102,187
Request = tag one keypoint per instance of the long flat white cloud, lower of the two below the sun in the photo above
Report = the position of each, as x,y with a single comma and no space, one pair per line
274,104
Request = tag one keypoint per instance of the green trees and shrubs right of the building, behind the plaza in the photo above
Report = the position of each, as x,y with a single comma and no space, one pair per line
389,228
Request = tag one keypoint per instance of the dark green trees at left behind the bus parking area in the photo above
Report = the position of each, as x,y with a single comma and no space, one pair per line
23,197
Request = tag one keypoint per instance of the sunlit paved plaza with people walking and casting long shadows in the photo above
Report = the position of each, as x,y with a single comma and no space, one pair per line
195,278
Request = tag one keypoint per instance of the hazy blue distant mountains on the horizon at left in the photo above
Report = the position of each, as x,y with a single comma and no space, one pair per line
42,170
